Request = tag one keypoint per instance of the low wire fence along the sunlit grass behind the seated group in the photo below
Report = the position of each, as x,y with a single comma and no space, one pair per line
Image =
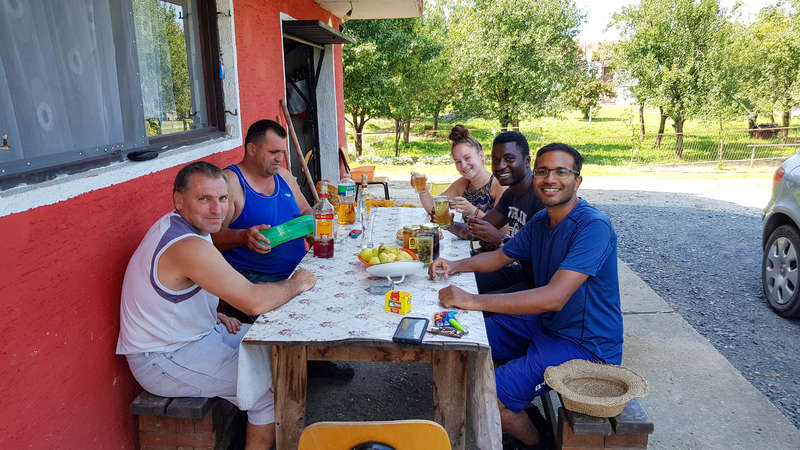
745,146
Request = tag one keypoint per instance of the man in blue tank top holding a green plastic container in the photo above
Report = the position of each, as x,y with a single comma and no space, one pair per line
263,194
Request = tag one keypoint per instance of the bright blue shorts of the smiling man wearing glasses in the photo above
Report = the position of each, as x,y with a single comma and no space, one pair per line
526,349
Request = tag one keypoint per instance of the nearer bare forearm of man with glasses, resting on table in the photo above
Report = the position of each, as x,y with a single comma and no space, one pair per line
551,297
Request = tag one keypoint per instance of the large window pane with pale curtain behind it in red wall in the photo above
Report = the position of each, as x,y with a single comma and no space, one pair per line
83,79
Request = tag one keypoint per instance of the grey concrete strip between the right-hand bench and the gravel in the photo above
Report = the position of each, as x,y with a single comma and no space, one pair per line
697,398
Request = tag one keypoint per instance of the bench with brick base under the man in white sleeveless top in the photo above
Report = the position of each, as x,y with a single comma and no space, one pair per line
181,422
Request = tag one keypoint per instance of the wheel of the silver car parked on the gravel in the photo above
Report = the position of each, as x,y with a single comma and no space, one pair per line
780,271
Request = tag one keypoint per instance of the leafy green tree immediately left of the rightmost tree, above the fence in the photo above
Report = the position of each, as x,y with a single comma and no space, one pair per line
666,47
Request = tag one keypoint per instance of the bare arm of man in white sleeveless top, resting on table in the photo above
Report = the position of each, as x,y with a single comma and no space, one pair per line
197,260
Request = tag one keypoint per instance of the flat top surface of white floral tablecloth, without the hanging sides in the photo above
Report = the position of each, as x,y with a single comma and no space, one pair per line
340,307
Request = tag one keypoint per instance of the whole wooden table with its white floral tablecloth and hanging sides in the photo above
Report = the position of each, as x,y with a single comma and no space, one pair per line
339,320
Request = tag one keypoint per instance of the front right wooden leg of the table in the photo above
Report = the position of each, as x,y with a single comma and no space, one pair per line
450,394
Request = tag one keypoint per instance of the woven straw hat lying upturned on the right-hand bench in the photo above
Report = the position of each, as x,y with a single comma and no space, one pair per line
600,390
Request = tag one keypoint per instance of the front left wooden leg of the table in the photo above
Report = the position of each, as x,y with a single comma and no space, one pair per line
289,383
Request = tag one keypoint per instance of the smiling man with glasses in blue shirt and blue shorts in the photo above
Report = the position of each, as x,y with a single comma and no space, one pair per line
572,312
